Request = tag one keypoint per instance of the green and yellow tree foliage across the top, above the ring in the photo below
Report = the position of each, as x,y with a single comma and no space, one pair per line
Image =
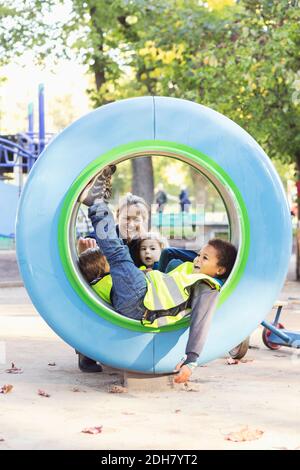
240,58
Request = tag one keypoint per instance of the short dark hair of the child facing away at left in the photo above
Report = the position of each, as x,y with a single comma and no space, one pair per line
92,264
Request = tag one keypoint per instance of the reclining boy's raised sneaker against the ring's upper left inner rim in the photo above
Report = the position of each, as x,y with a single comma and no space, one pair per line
99,188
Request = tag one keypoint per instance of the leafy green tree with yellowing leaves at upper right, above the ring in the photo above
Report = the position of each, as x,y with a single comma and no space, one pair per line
243,61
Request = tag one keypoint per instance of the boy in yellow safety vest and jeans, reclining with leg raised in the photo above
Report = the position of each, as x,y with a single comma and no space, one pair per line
139,296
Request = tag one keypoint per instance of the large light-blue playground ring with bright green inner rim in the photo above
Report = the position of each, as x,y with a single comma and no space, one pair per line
242,174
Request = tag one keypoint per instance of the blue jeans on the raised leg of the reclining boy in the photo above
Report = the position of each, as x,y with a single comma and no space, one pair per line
129,282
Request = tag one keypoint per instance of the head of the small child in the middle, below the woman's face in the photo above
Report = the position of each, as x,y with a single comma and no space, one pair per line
150,247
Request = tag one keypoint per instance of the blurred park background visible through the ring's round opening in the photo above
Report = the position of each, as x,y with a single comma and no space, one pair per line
185,206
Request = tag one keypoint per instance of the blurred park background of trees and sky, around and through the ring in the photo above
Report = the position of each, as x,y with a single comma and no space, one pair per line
60,59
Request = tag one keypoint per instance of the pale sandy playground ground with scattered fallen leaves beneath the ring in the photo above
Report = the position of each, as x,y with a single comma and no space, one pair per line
263,394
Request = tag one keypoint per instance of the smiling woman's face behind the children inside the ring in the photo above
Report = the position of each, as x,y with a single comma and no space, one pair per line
133,221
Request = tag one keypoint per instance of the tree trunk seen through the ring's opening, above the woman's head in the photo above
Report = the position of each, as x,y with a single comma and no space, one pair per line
142,178
